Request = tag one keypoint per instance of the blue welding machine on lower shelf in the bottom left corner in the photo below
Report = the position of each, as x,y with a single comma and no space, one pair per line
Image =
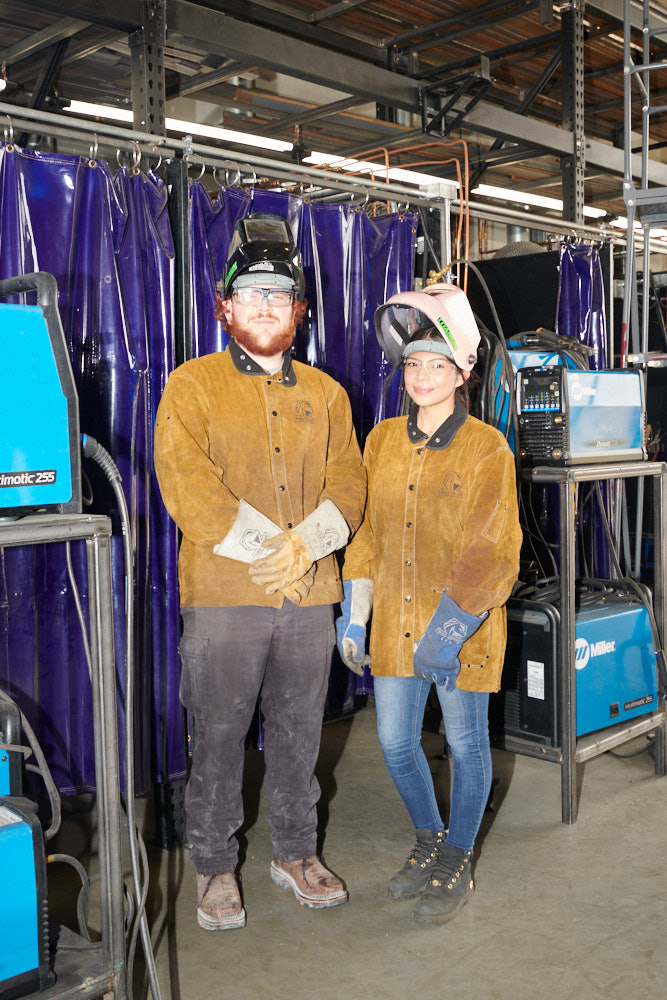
24,966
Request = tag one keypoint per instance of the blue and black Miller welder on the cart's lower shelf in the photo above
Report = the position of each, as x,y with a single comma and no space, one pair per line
615,660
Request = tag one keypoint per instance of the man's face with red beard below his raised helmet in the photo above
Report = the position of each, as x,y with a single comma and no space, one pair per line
263,329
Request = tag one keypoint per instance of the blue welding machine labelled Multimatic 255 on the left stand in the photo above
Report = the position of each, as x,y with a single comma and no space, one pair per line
40,469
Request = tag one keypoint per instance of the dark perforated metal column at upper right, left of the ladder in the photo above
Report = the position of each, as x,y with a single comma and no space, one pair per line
573,167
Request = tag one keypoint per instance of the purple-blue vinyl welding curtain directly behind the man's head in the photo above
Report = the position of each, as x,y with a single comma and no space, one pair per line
352,264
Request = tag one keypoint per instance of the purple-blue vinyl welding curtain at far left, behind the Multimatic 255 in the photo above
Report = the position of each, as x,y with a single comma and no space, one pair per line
108,243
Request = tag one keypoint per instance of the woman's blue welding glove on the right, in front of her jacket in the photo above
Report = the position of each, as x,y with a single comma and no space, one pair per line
436,656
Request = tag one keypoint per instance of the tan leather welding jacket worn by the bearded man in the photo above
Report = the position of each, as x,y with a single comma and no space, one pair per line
227,431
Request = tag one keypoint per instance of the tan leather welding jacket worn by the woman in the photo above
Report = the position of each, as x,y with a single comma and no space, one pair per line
442,513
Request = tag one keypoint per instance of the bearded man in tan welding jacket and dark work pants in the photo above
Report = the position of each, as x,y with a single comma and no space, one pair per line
259,466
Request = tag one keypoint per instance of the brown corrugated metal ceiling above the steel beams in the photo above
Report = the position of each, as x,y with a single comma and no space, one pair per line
350,76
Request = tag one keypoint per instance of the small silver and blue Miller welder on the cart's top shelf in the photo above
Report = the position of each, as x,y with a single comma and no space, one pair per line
575,417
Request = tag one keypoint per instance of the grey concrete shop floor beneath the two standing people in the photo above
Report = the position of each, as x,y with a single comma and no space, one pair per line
565,911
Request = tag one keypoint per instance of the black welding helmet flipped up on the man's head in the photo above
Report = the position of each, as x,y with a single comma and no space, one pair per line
263,243
